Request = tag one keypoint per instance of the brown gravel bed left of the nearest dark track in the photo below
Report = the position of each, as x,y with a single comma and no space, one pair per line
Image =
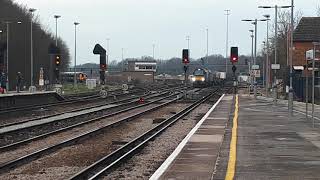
68,161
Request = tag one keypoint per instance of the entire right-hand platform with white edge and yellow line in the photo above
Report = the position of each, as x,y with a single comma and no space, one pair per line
248,139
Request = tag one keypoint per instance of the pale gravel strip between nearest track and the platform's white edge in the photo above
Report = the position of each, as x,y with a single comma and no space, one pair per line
143,165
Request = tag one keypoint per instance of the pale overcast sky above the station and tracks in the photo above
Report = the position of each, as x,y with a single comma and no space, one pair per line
137,24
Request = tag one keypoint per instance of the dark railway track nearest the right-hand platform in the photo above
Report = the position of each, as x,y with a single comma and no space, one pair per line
105,164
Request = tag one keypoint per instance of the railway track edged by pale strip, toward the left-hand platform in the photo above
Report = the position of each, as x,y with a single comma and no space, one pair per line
21,132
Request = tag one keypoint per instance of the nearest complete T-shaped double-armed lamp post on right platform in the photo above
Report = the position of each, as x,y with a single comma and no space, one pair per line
276,7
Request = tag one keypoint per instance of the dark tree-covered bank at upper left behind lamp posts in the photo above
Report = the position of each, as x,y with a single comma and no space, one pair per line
20,43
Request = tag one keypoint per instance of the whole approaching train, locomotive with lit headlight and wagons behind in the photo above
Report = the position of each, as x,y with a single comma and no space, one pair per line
203,77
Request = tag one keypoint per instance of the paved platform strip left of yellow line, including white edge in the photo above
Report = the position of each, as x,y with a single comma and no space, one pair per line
196,156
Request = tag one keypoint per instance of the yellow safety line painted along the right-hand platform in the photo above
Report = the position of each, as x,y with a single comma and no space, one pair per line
233,145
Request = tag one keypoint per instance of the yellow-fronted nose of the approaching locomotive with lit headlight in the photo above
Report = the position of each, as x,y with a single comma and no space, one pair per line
201,78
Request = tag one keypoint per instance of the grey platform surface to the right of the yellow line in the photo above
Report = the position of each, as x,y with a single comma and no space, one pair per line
271,145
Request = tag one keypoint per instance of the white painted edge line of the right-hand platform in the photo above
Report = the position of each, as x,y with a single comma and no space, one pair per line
177,151
